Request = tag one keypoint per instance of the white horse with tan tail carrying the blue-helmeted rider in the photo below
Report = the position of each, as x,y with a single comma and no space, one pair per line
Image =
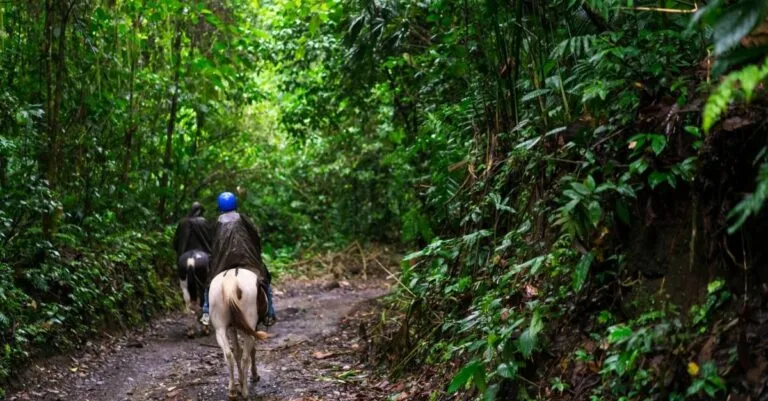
234,307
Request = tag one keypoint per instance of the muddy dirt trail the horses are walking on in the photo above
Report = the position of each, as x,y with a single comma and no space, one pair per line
306,358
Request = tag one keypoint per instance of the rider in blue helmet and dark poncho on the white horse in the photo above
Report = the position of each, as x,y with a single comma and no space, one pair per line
237,245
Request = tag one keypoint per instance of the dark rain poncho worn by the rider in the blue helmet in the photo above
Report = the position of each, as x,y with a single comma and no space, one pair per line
237,245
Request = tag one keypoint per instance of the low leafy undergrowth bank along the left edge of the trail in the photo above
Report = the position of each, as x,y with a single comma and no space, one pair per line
115,282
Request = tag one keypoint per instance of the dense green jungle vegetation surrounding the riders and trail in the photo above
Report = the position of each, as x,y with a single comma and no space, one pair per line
579,182
